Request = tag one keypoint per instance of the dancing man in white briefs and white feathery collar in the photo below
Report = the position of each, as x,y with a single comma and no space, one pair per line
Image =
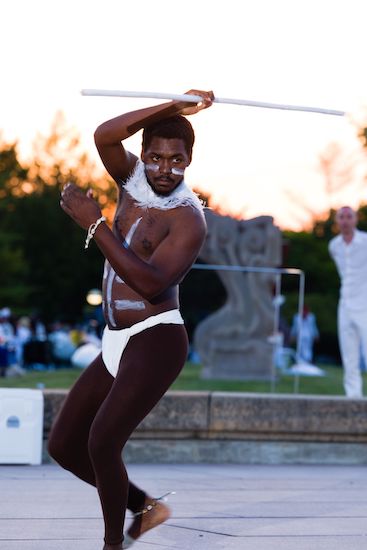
157,233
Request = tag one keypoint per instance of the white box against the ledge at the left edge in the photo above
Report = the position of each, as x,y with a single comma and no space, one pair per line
21,426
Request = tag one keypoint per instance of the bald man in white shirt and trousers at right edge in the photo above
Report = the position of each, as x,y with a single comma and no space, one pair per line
349,252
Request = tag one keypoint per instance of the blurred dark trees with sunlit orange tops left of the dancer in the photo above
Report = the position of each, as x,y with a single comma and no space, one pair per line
44,265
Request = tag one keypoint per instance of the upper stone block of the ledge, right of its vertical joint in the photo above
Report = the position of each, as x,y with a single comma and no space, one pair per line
288,417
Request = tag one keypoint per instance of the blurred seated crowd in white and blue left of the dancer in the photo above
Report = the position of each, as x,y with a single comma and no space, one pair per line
26,343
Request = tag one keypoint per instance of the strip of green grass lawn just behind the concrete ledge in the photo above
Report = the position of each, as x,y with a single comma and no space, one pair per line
189,379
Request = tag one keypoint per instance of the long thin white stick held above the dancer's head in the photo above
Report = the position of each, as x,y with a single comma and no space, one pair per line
196,98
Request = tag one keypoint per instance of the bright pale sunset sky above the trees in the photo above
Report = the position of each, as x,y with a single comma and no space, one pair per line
252,161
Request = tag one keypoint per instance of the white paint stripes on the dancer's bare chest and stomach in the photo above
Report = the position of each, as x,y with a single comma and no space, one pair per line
110,275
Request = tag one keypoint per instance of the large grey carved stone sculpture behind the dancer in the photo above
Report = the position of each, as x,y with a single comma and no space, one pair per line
233,342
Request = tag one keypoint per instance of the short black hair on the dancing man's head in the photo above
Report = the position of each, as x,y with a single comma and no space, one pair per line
175,127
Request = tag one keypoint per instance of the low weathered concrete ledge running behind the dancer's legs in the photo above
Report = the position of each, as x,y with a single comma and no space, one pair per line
240,428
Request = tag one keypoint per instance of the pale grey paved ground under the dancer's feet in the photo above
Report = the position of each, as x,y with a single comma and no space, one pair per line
223,506
